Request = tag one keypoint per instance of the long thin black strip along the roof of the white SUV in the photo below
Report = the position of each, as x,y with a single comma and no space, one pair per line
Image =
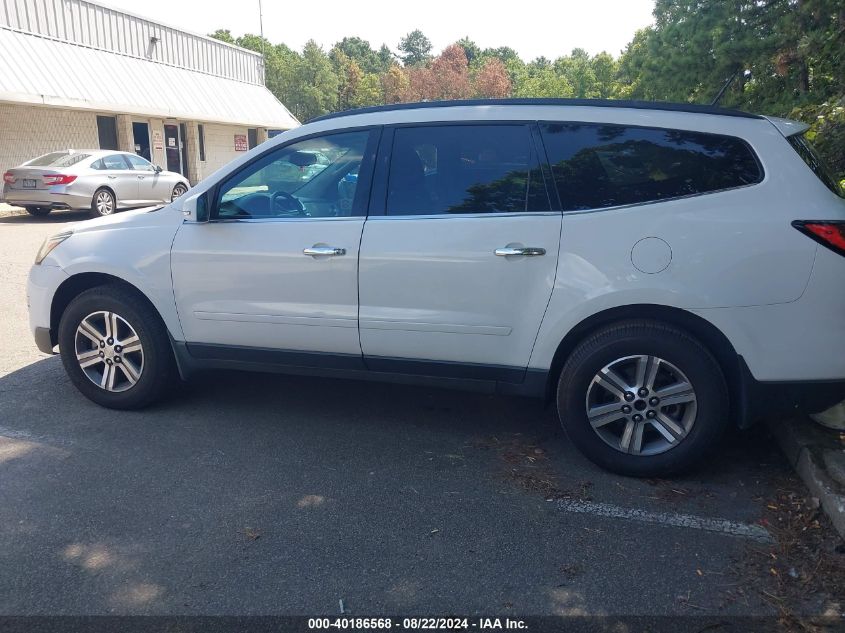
599,103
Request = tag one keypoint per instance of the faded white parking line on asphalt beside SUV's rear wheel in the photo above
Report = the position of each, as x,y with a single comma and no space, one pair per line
669,519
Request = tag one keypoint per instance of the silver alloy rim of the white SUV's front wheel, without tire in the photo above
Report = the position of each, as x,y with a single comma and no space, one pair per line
109,351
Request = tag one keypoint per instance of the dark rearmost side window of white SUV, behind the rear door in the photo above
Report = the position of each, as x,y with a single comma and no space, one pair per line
597,166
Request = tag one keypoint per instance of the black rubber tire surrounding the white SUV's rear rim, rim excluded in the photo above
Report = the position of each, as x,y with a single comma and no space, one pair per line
675,347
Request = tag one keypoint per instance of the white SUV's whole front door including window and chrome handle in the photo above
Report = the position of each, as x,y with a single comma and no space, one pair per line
273,277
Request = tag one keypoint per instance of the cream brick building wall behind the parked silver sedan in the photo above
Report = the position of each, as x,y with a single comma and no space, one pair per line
29,131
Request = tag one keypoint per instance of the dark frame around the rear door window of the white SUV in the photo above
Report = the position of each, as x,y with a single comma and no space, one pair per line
381,176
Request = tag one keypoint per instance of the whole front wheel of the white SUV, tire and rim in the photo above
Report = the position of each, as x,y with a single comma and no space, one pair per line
153,365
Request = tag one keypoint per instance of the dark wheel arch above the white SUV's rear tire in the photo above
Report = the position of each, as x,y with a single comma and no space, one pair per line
708,334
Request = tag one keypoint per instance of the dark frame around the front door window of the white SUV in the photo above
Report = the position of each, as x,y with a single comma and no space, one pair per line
367,164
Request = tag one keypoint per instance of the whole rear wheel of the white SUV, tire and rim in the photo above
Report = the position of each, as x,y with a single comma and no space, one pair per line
692,419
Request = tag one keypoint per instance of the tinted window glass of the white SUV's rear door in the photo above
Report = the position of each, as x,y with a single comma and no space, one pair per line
464,169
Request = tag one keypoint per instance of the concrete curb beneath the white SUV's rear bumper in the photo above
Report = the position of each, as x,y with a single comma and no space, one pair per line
805,445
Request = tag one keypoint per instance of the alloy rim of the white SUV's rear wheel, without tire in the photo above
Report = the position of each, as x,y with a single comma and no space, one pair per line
641,405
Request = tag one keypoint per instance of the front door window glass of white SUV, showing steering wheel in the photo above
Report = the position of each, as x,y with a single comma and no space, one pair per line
317,177
